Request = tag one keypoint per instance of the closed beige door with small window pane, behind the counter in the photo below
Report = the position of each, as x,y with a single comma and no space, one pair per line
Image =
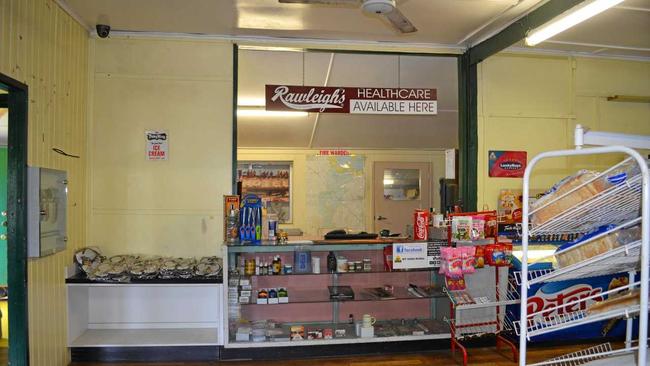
399,188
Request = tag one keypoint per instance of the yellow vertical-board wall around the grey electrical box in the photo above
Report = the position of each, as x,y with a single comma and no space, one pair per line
43,47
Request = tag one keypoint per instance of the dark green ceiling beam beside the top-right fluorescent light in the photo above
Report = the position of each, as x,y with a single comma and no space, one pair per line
517,31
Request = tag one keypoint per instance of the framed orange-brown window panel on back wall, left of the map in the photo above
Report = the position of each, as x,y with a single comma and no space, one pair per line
271,181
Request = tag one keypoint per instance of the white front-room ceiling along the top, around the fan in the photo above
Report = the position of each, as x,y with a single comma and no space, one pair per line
622,31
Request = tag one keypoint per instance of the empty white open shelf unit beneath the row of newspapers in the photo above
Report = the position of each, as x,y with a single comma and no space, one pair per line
144,315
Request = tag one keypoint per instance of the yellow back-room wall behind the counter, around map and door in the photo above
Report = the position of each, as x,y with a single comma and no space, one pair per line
299,189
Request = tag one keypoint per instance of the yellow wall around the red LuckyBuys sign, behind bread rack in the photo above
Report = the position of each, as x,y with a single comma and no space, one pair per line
533,103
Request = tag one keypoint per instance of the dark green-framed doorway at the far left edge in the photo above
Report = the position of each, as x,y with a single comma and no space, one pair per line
13,99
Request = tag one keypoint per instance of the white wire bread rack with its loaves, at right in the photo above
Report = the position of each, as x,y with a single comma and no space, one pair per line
610,213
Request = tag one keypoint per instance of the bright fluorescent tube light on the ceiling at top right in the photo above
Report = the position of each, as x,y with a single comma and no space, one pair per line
568,19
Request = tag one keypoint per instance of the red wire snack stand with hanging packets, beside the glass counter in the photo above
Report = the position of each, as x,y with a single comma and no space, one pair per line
478,305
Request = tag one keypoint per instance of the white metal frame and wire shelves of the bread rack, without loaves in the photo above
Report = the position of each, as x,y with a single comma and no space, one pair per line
624,205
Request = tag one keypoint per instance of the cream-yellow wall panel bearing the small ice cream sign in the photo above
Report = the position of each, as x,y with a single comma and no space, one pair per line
169,207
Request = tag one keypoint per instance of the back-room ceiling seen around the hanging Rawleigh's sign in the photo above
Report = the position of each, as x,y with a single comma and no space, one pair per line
257,68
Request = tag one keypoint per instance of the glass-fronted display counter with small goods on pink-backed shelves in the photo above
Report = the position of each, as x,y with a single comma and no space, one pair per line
313,304
